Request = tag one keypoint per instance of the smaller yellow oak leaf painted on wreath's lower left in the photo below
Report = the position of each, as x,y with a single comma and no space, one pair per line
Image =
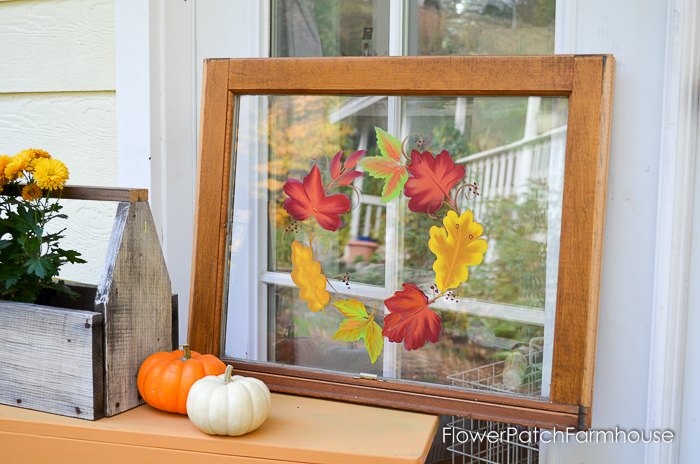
308,277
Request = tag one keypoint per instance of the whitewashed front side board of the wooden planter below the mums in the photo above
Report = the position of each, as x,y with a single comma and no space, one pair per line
52,359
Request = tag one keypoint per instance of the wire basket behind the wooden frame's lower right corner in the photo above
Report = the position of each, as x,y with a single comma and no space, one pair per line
521,374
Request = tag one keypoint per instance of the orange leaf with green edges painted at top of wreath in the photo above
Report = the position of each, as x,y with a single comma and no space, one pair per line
389,166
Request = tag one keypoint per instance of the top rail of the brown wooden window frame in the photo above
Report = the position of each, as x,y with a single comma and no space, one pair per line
454,75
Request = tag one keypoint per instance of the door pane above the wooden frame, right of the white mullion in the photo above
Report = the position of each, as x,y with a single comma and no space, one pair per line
479,27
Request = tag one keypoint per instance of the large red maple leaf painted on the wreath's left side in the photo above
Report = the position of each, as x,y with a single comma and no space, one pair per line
308,198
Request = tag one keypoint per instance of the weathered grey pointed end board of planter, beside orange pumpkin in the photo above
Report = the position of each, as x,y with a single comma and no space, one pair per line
135,297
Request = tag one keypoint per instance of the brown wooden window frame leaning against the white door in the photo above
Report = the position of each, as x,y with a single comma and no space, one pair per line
587,81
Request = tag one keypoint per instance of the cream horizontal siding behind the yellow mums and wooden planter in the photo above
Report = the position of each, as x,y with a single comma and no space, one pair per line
57,93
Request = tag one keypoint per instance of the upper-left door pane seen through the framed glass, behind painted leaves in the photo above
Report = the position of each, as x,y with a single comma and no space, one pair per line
303,131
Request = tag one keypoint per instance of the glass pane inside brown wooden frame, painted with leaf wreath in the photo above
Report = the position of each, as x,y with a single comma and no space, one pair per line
497,321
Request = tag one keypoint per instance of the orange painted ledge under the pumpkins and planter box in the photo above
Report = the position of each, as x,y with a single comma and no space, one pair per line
299,429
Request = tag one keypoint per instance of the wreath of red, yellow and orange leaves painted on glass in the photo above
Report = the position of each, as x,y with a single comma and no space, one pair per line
429,182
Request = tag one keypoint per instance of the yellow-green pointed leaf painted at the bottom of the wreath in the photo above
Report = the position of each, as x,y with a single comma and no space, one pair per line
359,325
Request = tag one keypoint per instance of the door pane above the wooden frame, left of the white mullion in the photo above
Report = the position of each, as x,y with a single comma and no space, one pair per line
330,28
